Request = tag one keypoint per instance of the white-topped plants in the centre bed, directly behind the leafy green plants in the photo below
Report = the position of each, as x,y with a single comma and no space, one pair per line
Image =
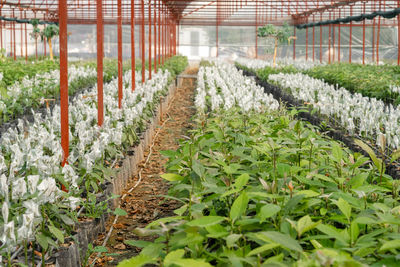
227,87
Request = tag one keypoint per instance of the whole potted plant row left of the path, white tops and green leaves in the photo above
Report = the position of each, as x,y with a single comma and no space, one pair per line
37,214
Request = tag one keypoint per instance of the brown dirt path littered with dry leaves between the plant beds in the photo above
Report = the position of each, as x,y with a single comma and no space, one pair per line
143,204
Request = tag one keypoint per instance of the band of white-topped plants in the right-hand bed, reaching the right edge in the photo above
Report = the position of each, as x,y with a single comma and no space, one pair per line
367,117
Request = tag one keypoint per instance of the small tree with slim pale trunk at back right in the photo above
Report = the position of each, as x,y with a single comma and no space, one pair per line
280,35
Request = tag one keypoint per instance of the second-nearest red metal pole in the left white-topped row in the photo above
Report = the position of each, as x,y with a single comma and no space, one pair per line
100,36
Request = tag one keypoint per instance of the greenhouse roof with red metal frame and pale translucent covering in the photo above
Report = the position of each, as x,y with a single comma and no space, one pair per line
202,13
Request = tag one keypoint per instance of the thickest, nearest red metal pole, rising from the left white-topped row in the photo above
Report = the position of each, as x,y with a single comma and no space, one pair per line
63,18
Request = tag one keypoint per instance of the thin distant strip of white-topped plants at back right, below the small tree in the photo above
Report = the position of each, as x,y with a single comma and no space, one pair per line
300,64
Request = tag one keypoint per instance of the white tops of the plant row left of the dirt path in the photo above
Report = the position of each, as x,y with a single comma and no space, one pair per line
30,156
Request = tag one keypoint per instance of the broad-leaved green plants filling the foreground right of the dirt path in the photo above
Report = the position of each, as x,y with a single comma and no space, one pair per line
269,190
